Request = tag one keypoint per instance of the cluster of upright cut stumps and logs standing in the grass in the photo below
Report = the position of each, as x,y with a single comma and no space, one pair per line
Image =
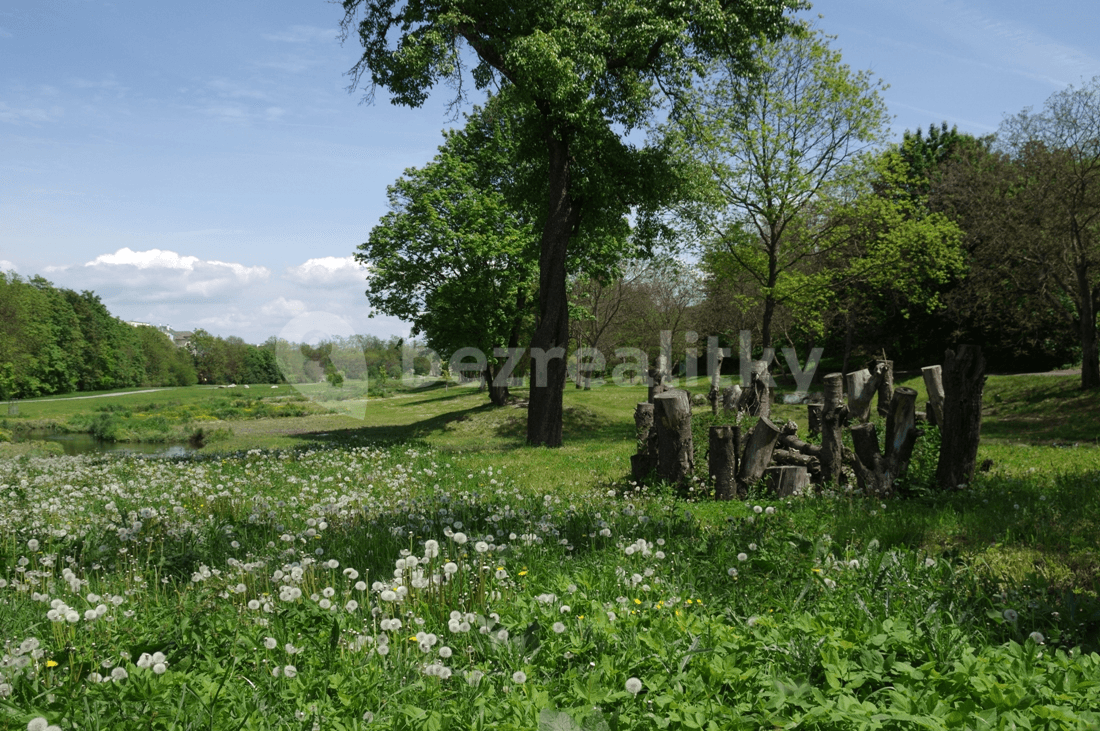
789,466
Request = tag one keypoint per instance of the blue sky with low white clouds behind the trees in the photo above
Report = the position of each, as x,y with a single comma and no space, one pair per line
204,164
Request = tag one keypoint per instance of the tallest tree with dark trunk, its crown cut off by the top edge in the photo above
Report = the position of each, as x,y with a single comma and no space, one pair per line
588,71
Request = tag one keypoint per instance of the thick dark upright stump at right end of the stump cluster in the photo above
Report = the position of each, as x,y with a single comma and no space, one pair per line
964,380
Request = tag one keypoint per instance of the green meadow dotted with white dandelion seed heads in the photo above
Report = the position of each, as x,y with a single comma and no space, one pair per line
422,569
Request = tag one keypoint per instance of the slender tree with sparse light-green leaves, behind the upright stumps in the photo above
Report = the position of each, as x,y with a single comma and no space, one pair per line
771,148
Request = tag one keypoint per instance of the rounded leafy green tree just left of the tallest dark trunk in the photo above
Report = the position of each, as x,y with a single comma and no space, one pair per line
453,257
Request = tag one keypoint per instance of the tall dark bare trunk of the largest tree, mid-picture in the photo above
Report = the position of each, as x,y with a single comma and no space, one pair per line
548,376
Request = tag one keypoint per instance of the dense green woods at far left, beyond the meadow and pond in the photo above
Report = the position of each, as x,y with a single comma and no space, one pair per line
58,341
